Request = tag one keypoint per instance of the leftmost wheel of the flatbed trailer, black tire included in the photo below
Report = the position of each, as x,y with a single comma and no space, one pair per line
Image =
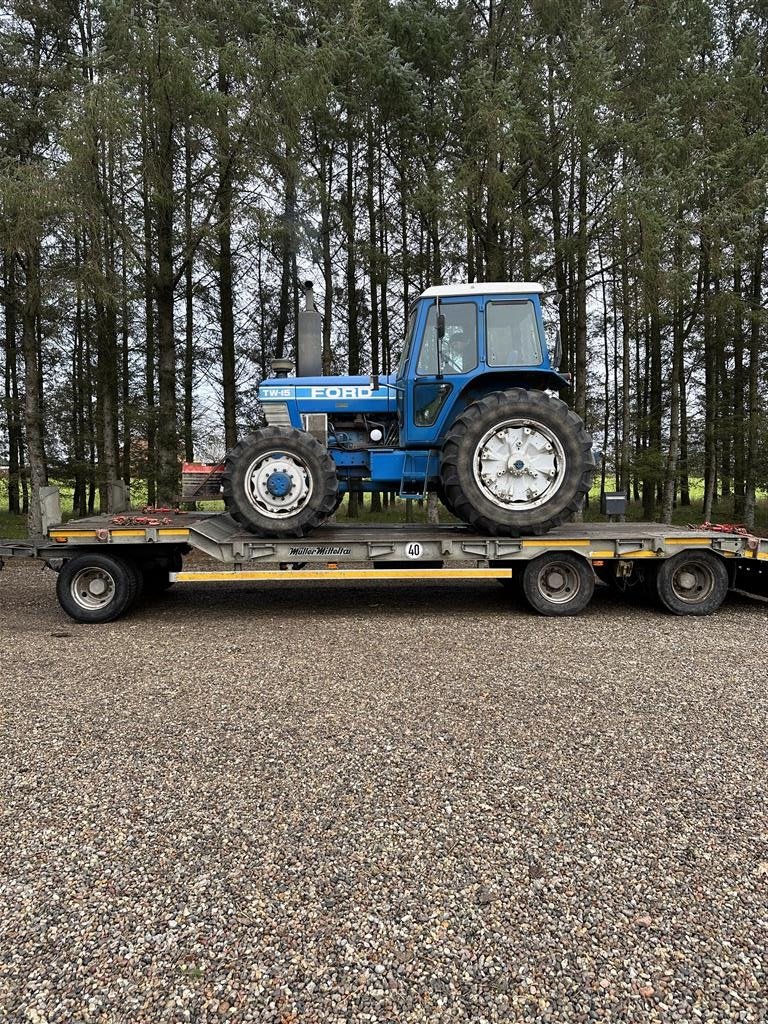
98,588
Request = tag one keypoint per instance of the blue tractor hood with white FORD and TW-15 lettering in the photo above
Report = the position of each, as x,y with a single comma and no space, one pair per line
333,396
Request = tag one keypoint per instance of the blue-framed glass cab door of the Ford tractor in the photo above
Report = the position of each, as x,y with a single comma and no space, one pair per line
438,370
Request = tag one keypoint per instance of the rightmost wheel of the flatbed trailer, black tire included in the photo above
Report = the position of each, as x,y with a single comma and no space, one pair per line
693,583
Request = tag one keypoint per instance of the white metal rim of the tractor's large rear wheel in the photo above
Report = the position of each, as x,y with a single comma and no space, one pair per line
520,464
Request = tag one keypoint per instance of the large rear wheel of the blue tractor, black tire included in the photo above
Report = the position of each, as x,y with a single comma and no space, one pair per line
473,499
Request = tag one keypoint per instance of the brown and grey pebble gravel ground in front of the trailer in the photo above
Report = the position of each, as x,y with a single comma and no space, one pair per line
411,803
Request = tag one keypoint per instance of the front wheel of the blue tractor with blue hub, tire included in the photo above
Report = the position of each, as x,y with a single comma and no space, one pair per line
305,467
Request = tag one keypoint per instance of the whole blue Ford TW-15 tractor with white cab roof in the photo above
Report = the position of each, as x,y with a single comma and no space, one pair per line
471,413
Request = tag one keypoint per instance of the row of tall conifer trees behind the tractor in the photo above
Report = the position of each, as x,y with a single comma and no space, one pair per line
172,172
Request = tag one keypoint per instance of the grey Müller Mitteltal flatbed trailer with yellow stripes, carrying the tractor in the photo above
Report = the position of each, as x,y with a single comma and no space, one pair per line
106,564
